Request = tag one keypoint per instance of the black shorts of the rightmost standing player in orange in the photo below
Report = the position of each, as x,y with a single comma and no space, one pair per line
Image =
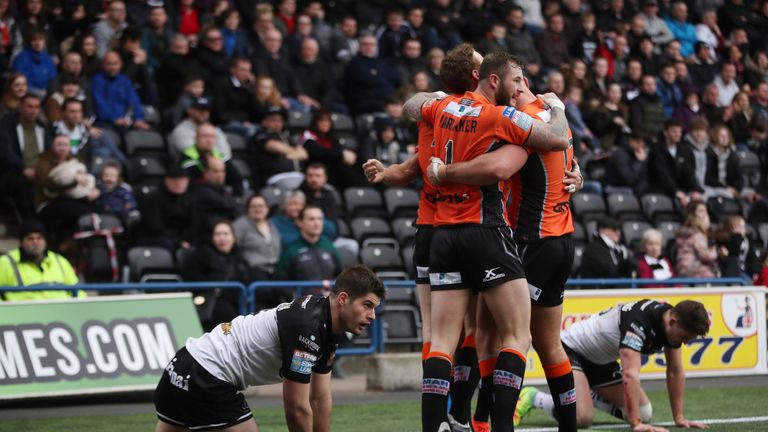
547,264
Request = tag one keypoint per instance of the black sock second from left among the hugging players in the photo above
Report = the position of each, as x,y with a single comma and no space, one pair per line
465,379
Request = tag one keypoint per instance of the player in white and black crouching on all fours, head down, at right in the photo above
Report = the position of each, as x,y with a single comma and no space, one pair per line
625,332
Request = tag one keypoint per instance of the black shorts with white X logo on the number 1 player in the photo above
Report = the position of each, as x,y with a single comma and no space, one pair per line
474,257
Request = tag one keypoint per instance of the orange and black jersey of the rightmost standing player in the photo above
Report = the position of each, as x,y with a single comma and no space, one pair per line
538,205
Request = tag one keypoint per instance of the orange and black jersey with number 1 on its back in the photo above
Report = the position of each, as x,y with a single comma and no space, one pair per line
465,127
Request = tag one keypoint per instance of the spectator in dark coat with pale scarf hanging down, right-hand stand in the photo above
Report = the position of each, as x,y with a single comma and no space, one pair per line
723,176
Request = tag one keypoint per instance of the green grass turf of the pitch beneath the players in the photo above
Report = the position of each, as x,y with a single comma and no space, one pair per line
404,417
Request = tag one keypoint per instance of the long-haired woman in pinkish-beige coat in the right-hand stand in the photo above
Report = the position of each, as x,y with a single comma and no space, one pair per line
696,257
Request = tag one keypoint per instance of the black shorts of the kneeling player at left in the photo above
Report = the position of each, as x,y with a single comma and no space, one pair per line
189,396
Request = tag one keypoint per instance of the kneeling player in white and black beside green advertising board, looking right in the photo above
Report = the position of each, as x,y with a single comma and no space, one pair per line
294,343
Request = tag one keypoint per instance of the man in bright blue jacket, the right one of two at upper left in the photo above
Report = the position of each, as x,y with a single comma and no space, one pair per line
116,101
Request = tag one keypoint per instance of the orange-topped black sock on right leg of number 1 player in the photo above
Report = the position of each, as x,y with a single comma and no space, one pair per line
507,382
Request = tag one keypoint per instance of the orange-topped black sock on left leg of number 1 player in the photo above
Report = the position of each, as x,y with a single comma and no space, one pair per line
435,386
